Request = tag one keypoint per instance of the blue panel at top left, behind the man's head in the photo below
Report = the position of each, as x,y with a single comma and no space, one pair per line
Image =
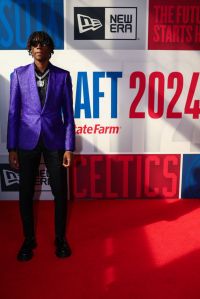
19,18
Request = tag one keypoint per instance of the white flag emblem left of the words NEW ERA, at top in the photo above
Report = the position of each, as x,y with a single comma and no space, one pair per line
85,23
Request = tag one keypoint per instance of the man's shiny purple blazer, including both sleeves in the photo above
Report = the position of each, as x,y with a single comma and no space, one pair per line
27,119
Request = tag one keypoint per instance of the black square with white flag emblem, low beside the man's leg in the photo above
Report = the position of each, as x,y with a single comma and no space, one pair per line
9,178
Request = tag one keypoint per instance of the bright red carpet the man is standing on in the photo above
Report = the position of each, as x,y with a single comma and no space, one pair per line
121,249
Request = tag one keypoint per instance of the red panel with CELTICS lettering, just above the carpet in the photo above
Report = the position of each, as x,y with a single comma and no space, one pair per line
126,176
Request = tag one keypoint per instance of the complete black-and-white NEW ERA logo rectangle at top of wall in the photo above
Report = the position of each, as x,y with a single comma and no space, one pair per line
105,23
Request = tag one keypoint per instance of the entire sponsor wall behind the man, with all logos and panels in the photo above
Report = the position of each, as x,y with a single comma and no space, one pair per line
136,90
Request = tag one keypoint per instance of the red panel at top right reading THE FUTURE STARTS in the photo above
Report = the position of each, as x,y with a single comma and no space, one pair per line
174,25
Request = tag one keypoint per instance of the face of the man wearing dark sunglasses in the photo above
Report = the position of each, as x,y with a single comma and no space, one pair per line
40,50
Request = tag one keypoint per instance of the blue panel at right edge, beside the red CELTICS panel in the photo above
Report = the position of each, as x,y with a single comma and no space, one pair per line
191,176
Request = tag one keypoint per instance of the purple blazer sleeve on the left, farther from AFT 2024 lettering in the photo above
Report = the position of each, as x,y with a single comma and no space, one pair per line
14,112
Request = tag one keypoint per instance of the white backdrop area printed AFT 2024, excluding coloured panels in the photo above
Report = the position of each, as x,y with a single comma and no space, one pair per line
127,99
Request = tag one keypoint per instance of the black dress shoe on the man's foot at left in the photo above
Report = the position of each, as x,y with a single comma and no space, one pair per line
26,251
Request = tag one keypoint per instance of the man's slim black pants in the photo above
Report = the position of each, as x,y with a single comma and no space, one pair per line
29,161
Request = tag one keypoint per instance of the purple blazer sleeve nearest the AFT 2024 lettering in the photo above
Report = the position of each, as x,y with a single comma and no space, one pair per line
68,115
